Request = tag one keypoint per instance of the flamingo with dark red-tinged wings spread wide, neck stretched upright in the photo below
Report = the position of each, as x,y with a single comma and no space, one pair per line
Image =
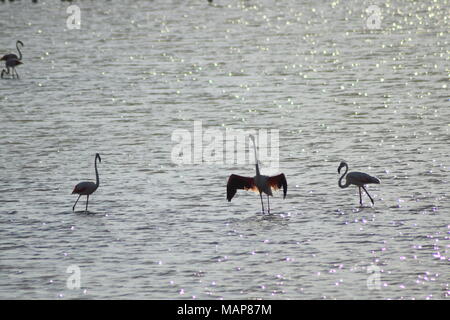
259,183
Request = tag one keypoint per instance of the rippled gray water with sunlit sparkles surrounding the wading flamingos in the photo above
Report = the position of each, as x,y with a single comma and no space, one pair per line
137,71
